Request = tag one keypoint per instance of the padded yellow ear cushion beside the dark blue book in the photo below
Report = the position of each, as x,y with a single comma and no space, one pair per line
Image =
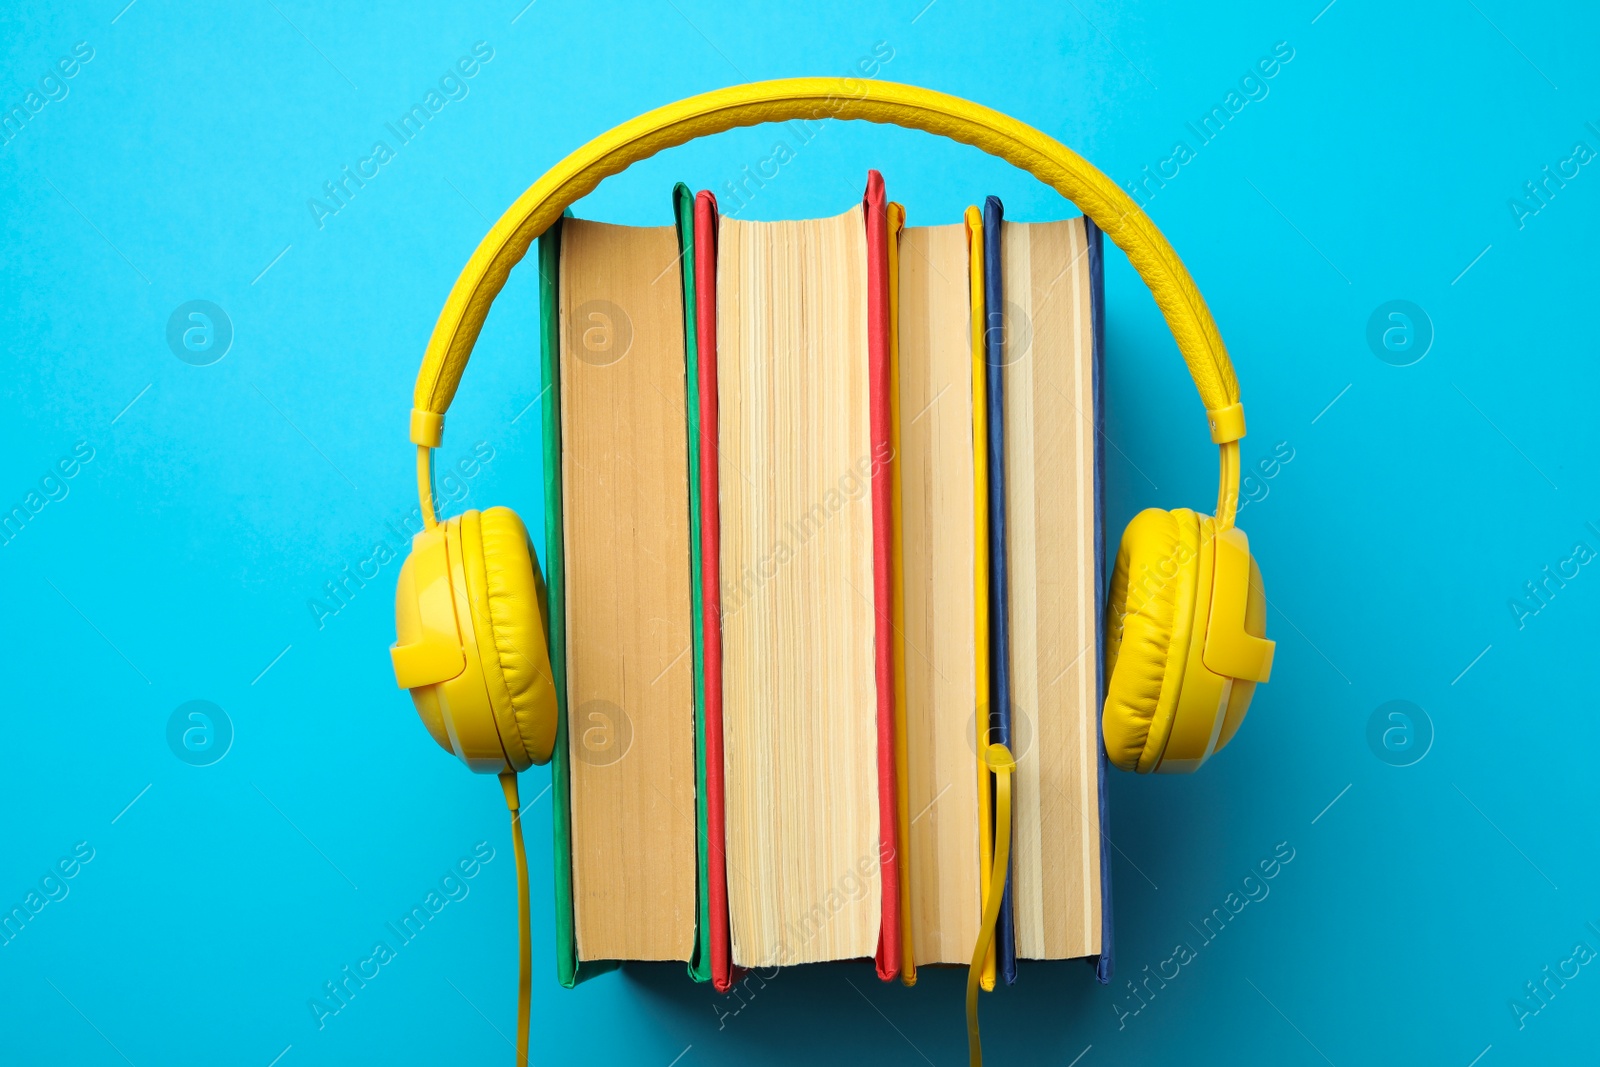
1150,625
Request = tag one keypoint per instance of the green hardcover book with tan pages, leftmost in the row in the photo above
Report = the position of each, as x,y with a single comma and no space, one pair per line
617,815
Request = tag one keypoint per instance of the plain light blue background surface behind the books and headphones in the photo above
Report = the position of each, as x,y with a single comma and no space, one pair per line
180,565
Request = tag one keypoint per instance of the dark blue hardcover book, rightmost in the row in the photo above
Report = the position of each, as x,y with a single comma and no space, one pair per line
1044,337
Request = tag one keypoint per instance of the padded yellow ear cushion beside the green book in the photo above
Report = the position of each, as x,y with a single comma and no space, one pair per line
503,591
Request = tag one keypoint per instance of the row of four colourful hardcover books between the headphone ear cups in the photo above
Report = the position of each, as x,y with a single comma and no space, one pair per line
823,519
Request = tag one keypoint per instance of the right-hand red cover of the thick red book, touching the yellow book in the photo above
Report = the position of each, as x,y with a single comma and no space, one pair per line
876,206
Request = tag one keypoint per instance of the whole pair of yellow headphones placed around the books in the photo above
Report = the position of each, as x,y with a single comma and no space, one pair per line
1186,620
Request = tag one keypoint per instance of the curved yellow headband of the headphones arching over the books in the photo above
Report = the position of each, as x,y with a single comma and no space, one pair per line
906,106
